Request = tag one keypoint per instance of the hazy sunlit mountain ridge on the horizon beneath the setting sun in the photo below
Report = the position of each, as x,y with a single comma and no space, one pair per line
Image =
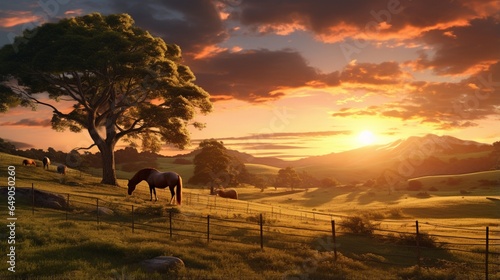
412,157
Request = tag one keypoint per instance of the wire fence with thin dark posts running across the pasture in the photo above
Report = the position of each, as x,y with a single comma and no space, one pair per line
263,225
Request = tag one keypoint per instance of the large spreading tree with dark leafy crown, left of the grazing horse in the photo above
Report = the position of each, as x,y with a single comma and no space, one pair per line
124,83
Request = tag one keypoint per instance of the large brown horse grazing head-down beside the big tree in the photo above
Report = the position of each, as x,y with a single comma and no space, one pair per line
157,179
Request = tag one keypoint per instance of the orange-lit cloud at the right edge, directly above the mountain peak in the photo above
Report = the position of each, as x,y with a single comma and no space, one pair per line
444,105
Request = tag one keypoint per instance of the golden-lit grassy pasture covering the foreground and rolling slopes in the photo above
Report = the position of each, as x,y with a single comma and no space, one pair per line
48,245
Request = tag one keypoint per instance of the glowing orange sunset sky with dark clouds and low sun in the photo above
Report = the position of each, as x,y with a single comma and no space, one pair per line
298,78
